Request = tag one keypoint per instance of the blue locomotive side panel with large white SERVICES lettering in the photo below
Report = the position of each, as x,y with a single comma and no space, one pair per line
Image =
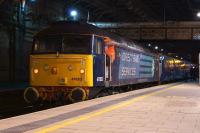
133,67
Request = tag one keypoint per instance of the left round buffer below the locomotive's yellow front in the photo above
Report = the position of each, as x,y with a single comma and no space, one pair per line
31,95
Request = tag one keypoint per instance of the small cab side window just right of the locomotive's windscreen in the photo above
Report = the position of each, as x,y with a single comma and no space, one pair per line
98,47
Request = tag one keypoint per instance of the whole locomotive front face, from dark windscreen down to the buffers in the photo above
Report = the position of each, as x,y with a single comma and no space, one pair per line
61,67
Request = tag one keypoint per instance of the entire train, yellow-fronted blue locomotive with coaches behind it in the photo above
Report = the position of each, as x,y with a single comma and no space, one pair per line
75,61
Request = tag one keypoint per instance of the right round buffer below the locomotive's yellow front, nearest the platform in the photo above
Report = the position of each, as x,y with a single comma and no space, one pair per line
77,94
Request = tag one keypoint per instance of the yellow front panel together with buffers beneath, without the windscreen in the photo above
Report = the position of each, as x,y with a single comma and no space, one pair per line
51,75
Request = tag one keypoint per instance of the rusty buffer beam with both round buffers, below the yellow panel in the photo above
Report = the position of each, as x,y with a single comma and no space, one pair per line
56,93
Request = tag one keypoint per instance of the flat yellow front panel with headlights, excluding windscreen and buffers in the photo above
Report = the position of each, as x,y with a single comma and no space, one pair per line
62,70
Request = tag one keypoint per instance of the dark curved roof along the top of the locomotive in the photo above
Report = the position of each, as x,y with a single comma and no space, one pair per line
63,27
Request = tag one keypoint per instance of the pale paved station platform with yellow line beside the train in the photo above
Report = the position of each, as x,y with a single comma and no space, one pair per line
170,108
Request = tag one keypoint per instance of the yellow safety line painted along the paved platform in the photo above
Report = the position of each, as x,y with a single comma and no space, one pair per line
99,112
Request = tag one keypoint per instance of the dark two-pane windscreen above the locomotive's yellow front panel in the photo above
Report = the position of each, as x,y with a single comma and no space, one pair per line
68,44
